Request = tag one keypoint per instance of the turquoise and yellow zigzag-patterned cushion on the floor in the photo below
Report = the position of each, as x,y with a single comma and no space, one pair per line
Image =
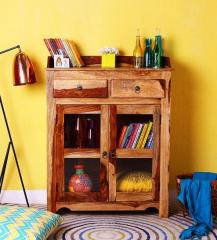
26,223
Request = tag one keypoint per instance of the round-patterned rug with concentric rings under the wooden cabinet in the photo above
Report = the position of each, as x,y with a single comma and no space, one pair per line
124,226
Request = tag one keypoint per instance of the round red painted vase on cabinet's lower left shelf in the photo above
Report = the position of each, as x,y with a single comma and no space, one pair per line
80,181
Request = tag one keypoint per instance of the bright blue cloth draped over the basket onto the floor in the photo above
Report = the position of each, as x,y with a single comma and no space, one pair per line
195,195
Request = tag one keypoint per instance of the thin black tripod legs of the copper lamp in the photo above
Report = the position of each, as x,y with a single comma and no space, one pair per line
10,145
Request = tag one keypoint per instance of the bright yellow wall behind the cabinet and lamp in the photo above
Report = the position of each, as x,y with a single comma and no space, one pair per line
189,30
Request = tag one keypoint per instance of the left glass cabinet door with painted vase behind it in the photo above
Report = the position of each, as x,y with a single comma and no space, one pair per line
81,167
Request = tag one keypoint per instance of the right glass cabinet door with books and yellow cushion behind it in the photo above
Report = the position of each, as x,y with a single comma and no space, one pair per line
134,147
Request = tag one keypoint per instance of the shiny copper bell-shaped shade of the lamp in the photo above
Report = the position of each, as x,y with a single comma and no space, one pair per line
23,70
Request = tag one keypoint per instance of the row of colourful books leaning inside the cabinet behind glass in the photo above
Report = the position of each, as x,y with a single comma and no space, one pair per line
136,136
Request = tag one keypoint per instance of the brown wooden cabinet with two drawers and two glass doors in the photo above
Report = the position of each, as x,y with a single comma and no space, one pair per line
112,98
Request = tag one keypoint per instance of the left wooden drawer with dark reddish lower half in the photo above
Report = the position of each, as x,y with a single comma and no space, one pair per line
80,88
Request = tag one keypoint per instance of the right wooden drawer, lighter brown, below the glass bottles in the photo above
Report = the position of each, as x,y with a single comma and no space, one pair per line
137,88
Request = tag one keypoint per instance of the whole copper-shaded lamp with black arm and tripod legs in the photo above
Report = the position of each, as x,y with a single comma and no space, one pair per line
23,74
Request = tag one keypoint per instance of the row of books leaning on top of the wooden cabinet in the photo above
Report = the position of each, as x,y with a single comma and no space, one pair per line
66,48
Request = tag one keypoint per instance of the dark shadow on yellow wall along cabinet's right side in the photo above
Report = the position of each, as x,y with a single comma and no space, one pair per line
182,115
